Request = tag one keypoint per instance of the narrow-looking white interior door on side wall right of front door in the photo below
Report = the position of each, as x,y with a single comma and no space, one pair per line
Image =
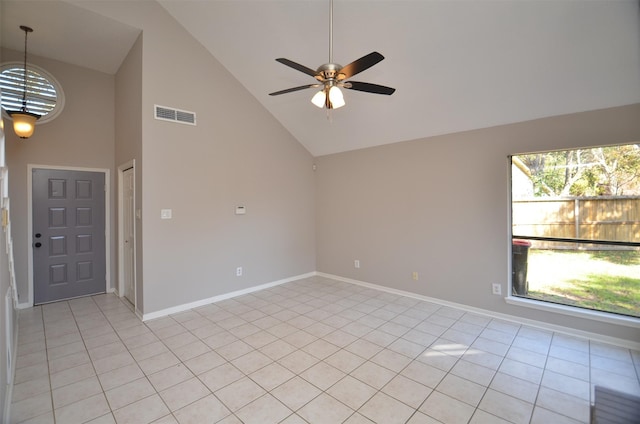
128,218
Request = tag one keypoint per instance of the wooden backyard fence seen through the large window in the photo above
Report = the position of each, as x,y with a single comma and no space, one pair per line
594,218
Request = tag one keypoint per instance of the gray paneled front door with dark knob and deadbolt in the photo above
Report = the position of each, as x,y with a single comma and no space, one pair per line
68,234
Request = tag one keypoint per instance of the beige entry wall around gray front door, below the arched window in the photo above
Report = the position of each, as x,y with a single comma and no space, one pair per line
81,136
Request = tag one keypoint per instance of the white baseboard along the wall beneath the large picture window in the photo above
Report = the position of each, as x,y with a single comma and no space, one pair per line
629,344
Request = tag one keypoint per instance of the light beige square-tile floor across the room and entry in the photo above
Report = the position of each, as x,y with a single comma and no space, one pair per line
312,351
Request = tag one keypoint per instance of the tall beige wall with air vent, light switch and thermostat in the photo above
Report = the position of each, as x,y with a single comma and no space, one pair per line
236,155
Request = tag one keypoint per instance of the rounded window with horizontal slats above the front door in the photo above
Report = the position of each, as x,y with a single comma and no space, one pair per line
44,93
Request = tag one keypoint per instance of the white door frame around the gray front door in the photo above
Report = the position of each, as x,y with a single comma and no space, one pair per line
107,223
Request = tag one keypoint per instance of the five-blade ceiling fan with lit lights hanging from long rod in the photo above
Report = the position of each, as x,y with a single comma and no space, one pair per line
331,76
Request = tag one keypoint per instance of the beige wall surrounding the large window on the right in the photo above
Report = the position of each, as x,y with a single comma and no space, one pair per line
439,206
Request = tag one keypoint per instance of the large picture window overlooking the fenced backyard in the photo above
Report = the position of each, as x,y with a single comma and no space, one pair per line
576,227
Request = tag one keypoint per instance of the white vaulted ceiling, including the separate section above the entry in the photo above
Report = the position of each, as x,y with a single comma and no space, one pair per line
457,65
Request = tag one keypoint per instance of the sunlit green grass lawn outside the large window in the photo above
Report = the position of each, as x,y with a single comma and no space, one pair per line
603,280
